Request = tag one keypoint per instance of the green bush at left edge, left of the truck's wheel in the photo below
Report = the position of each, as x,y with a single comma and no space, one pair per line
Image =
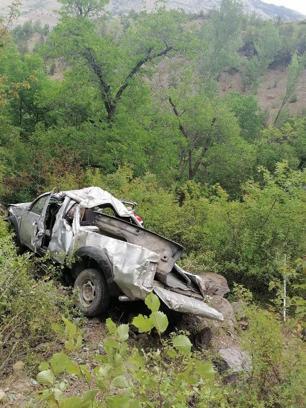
27,307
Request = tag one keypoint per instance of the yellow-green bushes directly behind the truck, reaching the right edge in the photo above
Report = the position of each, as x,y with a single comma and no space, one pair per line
242,239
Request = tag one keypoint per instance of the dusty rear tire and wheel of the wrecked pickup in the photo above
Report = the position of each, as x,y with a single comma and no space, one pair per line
92,292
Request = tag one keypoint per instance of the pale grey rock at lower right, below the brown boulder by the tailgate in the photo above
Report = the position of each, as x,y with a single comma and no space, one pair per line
234,359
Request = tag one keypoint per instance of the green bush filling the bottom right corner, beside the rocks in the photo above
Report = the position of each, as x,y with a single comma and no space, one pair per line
278,364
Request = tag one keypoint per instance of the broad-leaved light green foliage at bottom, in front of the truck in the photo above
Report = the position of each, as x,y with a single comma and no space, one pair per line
129,377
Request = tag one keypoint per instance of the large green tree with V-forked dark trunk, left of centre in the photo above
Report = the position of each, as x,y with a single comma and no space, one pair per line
112,66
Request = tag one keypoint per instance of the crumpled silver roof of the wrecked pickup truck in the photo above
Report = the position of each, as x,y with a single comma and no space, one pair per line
94,196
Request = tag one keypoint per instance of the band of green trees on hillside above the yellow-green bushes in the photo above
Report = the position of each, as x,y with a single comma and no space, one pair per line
141,91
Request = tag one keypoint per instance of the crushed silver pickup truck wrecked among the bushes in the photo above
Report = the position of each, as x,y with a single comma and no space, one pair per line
112,254
